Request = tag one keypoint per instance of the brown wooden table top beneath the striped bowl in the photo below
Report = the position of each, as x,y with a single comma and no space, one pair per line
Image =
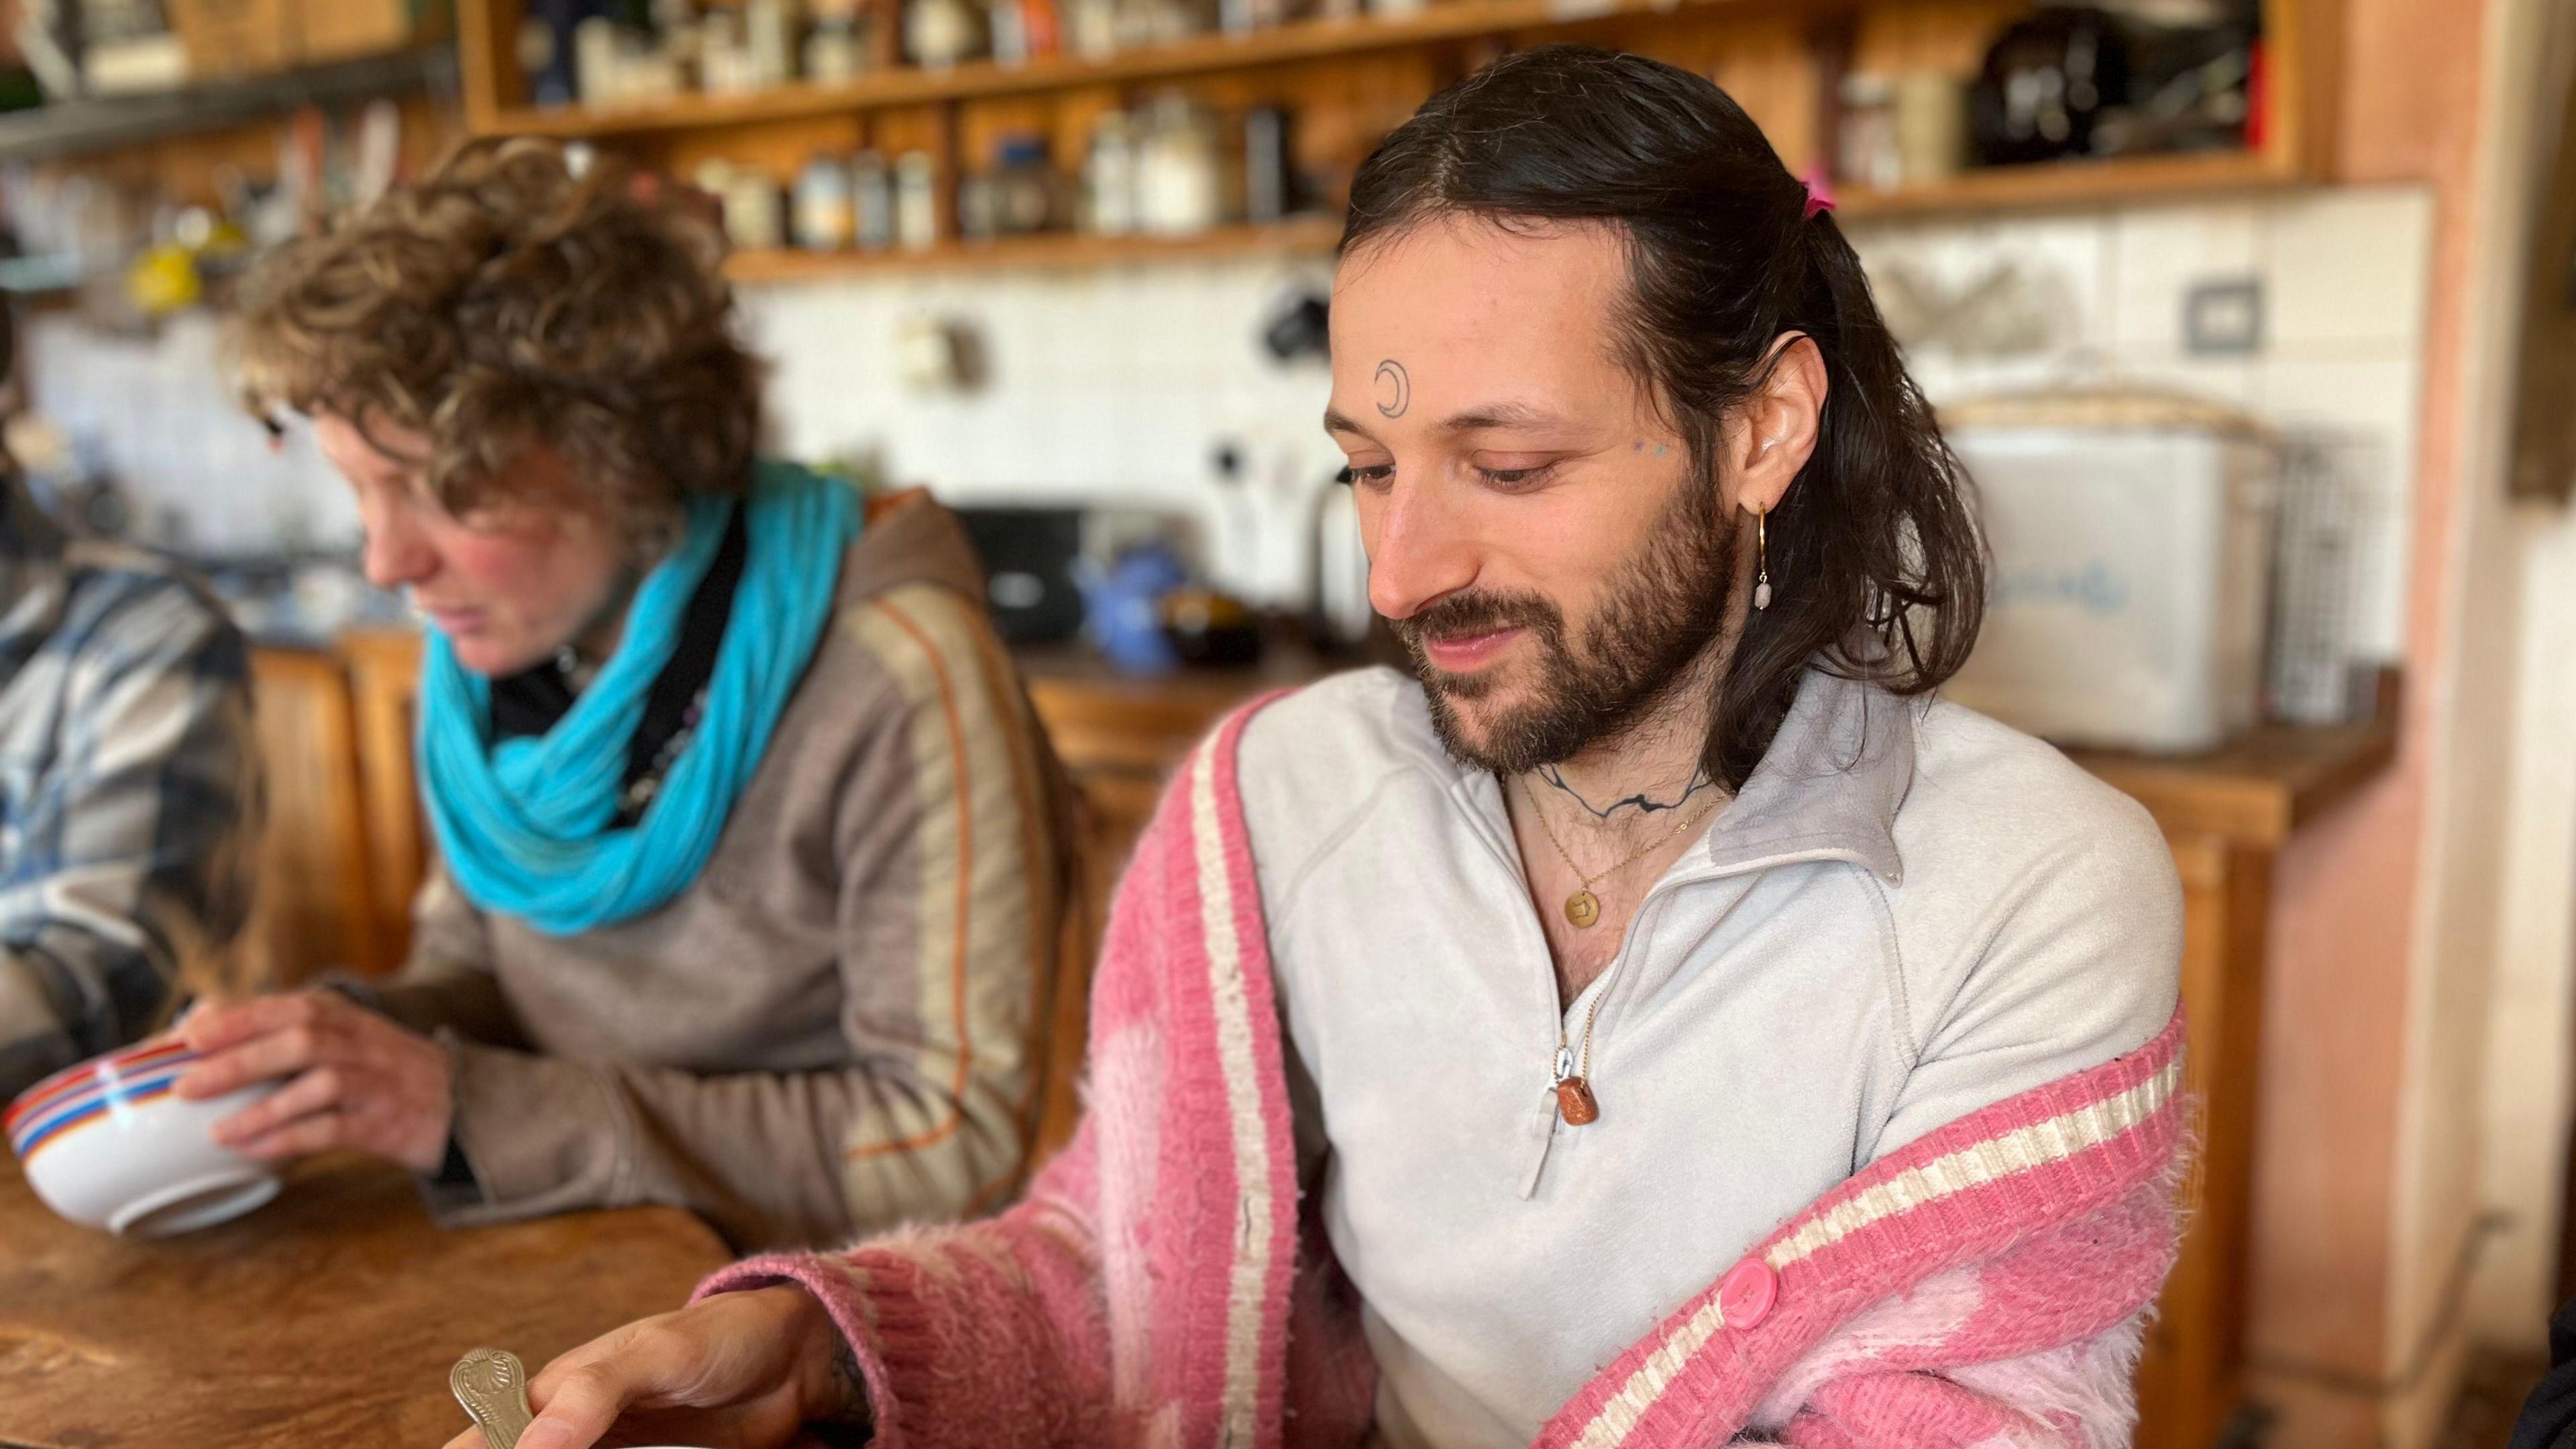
331,1316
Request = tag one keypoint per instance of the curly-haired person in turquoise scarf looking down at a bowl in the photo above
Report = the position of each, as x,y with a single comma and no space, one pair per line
751,850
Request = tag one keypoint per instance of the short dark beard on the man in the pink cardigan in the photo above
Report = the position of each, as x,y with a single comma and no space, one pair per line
1665,607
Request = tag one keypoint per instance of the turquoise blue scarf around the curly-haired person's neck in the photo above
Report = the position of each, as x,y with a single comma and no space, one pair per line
529,824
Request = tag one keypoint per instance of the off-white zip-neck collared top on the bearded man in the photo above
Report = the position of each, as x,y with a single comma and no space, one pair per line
1905,917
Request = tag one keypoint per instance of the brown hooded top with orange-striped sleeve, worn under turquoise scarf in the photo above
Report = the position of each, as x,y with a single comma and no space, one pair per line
838,1027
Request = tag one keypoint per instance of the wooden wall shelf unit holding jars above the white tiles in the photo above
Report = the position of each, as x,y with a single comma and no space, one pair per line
1351,73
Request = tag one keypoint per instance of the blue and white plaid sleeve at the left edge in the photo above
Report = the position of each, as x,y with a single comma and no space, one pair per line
130,783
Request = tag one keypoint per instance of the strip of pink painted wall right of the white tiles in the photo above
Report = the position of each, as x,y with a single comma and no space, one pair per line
2348,891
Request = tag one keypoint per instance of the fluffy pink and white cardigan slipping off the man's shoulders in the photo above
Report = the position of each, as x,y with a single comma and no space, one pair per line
1163,1290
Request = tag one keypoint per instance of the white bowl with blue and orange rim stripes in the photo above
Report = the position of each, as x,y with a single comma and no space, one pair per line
112,1146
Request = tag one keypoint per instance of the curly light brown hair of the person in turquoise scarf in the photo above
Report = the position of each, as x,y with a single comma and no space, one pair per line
504,300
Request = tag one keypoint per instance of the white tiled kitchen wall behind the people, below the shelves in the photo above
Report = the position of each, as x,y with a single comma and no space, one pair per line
1122,383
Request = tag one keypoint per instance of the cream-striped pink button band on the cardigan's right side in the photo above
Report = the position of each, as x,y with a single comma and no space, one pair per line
1951,1198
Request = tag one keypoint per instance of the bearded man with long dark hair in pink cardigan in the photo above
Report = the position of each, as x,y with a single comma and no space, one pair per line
1653,1020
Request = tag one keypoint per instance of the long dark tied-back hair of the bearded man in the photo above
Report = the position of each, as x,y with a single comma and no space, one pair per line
1874,556
